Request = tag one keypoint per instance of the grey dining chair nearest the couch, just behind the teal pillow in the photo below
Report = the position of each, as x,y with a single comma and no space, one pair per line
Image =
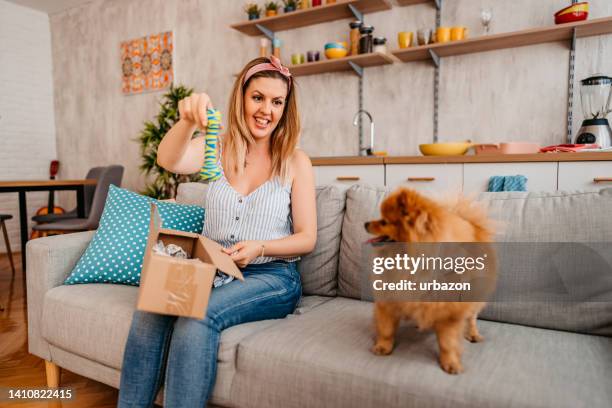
111,175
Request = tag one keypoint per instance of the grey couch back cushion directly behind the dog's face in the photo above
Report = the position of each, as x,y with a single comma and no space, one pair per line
362,204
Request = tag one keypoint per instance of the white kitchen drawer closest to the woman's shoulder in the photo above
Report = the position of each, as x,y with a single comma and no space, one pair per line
347,175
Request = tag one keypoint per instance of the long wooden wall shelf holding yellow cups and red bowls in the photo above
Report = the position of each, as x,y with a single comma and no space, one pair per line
508,40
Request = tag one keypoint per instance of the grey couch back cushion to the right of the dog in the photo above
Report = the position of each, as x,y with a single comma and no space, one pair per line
549,218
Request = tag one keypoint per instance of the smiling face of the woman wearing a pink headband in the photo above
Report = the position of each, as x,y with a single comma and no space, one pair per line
264,104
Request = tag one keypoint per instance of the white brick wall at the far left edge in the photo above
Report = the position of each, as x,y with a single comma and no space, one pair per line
27,125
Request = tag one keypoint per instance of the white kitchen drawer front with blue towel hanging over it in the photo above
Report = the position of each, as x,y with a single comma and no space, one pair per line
541,176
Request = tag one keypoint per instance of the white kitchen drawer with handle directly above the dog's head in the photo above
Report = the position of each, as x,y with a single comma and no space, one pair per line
430,178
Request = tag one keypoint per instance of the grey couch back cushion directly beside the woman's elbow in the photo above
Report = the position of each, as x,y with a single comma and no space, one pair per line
319,269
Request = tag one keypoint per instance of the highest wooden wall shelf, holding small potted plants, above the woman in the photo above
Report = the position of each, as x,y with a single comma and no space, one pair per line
311,16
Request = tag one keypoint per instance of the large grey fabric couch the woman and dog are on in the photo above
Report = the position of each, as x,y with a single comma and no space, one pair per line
543,354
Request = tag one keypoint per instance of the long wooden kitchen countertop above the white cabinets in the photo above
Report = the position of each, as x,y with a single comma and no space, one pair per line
499,158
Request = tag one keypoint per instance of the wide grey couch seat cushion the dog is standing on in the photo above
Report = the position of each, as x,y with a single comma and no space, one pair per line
322,359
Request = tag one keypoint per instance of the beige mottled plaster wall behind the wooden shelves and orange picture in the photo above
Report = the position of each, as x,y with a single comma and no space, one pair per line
516,94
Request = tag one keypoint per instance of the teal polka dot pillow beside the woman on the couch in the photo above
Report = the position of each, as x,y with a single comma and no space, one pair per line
116,252
